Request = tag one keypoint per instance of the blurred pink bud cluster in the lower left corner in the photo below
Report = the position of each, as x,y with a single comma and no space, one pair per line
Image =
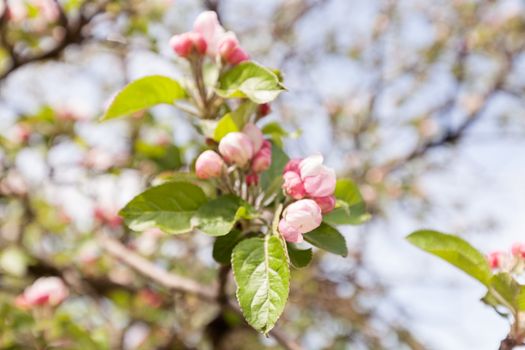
45,291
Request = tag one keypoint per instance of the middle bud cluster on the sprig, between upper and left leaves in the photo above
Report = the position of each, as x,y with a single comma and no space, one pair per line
247,150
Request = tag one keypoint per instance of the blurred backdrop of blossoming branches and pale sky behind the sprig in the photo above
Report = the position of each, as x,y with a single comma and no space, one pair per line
421,102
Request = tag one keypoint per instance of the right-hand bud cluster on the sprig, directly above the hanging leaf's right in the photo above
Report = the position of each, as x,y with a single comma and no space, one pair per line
312,184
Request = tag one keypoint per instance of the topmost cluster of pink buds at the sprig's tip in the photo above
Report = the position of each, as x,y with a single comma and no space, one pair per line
209,37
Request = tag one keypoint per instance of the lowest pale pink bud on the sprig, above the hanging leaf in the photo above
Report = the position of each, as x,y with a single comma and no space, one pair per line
298,218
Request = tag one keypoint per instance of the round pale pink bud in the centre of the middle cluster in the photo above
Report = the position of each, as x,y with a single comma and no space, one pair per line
236,148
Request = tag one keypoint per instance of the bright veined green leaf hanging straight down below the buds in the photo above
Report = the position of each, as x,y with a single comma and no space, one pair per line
260,268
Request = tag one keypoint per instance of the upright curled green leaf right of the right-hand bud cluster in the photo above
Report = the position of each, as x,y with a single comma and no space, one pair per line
350,208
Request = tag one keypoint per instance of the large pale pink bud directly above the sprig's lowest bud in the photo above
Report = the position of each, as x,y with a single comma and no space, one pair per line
318,180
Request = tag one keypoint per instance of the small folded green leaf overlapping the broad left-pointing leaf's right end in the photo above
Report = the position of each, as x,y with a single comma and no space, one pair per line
218,216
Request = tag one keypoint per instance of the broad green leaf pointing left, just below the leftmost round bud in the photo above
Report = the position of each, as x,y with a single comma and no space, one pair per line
169,207
